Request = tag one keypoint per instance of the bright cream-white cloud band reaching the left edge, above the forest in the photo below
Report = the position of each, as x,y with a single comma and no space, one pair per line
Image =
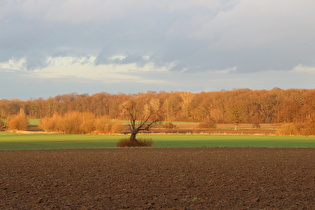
85,68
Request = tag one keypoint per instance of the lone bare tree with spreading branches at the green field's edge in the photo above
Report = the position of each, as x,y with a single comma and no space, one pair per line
141,117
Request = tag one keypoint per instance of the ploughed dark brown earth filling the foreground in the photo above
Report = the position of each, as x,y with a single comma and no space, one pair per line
175,178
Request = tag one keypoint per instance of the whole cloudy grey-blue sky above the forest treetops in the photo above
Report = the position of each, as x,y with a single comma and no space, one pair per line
48,48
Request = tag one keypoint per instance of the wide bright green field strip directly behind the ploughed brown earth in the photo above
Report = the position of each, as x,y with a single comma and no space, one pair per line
15,141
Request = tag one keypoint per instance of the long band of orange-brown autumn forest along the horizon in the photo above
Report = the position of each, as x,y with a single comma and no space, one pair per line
233,106
